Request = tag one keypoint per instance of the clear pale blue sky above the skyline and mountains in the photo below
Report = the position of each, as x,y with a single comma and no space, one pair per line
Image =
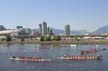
79,14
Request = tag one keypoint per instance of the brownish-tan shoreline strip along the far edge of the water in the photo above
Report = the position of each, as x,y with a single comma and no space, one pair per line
57,42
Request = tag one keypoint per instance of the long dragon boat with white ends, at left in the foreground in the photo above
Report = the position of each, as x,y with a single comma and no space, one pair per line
30,59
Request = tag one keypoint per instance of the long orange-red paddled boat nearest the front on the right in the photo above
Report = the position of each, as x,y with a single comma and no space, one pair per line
98,57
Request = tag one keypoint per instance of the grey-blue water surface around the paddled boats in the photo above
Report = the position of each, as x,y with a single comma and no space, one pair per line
50,51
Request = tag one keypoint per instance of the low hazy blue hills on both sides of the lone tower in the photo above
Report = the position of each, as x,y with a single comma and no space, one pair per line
74,32
